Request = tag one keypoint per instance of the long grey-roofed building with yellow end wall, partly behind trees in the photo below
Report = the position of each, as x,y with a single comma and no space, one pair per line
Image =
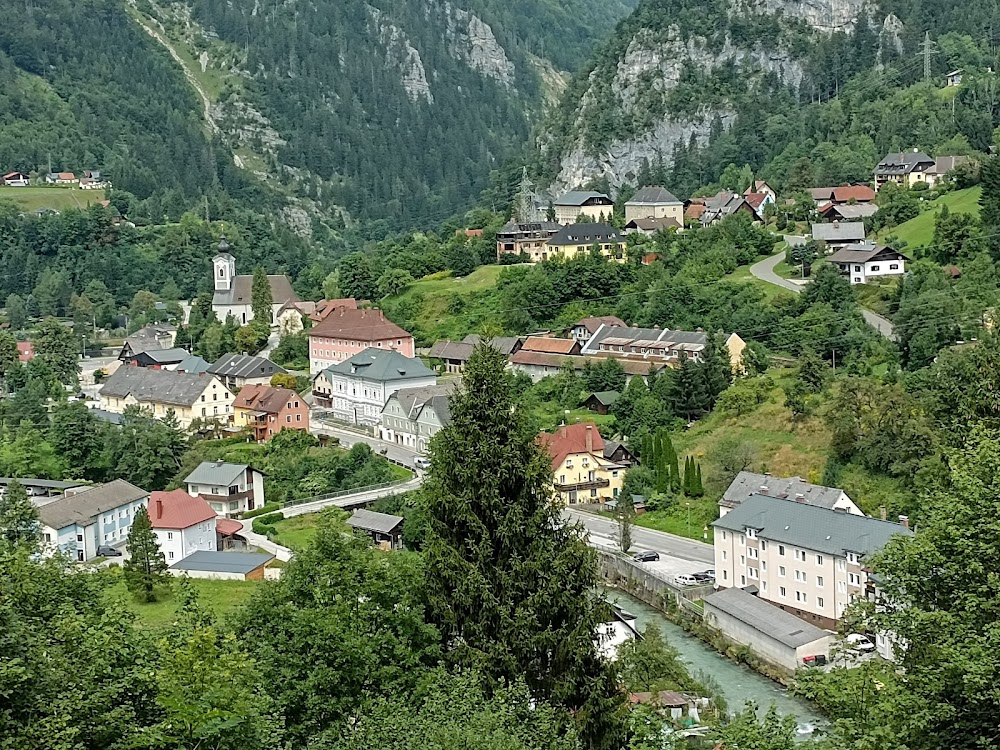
658,345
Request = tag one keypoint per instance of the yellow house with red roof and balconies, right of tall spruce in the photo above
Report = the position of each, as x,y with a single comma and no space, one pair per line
580,472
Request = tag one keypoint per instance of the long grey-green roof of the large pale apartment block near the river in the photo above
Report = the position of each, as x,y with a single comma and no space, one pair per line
807,526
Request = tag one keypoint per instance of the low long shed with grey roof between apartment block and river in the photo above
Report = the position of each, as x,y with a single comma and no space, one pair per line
771,633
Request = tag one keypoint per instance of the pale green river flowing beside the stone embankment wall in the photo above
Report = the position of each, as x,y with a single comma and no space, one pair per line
739,683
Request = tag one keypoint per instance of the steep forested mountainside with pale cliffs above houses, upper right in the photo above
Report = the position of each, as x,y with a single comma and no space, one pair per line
691,86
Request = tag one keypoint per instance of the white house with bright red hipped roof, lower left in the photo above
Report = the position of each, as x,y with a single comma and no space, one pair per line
183,524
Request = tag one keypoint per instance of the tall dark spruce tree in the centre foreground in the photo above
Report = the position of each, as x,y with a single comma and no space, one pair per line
511,586
